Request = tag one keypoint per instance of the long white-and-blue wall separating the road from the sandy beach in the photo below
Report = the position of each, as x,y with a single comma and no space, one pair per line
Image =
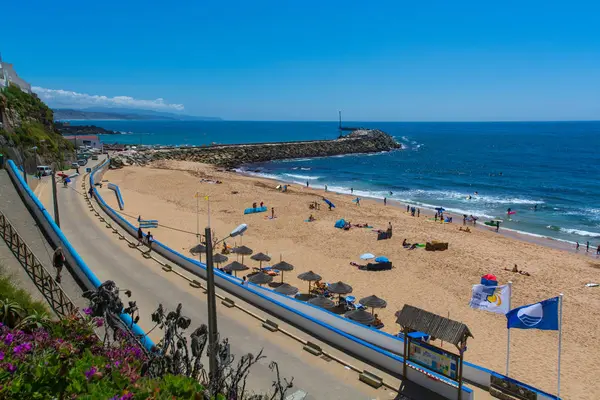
378,348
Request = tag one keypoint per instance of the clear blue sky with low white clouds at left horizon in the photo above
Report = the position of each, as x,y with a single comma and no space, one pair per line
280,60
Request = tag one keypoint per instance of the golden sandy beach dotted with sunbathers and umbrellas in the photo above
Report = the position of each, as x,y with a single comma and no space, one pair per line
439,282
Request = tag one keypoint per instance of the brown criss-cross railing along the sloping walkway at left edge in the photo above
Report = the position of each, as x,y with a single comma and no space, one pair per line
60,302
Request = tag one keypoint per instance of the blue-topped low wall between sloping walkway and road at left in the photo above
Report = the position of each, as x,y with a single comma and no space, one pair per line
83,274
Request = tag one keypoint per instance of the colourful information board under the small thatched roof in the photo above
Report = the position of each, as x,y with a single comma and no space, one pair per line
434,358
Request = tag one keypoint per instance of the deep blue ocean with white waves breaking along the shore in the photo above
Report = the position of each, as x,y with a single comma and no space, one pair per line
548,172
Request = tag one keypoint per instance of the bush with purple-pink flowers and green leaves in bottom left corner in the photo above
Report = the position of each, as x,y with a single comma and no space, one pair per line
67,360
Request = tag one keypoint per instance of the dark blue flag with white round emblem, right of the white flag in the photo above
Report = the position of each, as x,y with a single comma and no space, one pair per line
542,315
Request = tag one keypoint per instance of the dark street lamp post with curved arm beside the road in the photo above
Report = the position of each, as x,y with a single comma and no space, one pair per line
212,301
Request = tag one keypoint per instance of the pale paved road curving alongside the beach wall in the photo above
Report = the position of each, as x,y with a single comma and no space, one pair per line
112,259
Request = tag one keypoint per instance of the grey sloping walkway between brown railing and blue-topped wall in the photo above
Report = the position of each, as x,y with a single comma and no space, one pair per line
15,210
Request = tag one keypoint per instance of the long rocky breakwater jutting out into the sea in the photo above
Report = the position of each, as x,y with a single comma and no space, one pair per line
231,156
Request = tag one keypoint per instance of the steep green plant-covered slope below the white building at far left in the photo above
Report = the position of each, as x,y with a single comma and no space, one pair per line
27,131
